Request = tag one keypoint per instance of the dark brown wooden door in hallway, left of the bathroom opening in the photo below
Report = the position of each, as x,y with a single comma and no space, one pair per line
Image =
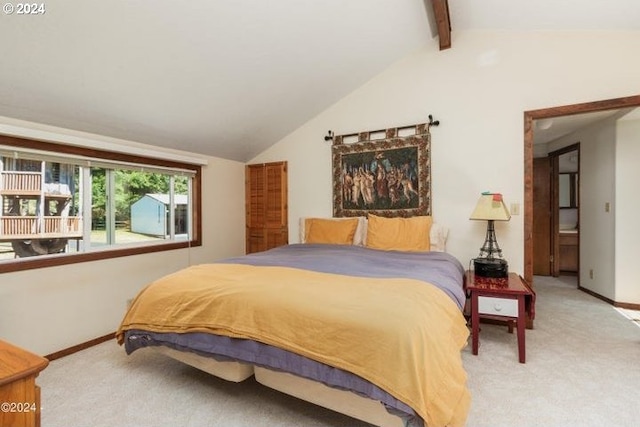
542,217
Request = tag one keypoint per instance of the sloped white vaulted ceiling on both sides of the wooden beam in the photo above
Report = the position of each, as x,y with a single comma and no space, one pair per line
229,78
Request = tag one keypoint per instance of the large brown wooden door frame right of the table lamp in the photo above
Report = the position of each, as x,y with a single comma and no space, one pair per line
529,117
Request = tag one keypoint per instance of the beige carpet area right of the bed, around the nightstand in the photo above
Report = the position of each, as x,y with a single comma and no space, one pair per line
583,366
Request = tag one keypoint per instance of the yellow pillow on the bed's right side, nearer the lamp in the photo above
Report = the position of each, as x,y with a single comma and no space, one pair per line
399,234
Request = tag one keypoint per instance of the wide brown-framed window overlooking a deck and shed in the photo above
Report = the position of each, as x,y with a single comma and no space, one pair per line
63,204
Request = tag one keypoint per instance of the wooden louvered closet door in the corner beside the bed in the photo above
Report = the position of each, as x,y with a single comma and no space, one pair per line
266,206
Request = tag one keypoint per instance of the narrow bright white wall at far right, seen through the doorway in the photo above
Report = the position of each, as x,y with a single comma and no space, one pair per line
627,230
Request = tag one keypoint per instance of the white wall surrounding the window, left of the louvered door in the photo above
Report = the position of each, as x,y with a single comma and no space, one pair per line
51,309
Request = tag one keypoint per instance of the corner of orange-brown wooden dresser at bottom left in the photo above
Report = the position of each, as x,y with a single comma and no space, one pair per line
19,394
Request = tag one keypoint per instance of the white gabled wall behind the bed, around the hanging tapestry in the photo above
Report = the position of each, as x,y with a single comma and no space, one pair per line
479,90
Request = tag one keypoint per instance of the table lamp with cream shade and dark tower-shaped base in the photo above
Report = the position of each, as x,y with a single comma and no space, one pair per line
490,208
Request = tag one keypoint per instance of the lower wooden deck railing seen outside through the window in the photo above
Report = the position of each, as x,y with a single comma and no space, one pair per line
30,227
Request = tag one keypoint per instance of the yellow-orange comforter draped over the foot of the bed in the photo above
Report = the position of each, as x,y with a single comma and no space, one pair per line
403,335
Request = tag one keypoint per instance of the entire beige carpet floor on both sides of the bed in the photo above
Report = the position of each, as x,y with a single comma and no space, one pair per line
583,369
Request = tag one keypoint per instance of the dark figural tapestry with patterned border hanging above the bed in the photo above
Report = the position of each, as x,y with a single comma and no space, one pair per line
389,176
